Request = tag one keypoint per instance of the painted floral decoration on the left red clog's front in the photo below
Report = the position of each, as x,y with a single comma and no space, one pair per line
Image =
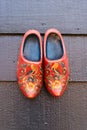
30,77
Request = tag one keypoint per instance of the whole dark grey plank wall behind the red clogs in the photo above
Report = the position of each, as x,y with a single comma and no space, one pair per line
44,112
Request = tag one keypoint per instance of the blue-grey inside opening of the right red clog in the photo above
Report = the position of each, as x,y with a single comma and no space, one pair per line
54,48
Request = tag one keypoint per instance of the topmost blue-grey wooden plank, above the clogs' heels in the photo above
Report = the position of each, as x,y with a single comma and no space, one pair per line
68,16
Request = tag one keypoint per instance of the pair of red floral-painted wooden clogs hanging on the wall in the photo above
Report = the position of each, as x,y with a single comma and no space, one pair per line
39,61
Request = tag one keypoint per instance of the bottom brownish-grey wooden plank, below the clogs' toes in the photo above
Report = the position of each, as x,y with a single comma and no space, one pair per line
44,112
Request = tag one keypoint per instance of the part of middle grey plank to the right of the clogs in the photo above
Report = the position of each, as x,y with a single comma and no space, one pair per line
77,53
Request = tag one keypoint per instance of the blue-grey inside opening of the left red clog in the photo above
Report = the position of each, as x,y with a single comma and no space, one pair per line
31,49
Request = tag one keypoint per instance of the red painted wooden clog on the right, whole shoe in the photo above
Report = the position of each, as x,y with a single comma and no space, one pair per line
56,69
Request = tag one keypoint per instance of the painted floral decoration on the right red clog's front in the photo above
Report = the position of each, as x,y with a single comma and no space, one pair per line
55,76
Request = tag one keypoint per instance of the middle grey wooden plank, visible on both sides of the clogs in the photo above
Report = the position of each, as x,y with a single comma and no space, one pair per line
76,48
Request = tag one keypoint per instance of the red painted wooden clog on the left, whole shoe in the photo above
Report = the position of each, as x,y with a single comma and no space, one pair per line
29,68
